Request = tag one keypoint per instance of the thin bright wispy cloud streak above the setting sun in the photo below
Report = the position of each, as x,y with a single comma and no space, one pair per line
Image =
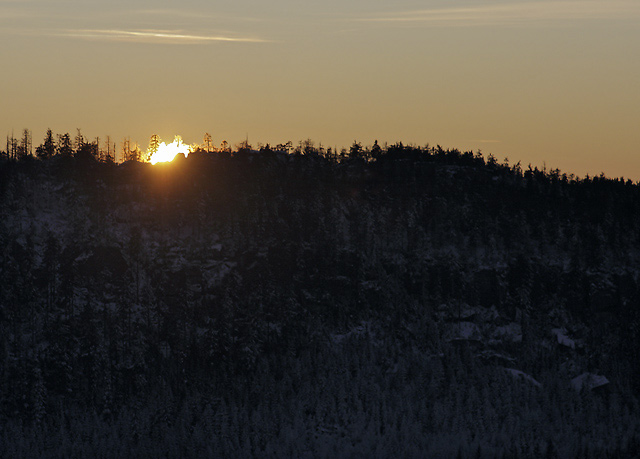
154,36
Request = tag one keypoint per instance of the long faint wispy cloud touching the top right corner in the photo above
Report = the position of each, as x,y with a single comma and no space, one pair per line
517,13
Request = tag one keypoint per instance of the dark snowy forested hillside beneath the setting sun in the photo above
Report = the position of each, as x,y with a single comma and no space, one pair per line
297,301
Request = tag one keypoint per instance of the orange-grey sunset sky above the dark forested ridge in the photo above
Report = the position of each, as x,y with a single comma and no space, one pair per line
554,84
